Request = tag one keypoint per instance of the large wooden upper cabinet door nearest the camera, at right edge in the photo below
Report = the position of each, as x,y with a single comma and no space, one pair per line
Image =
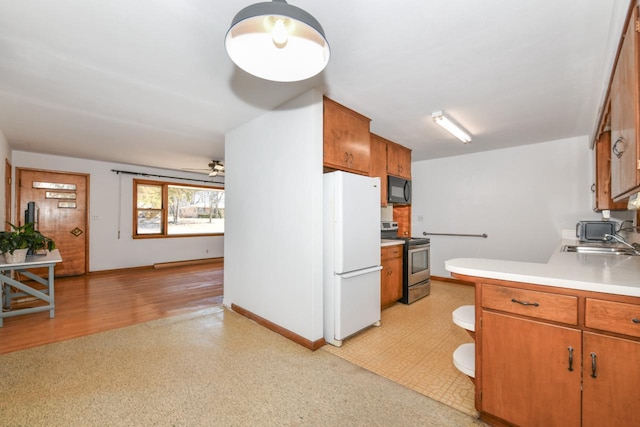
625,178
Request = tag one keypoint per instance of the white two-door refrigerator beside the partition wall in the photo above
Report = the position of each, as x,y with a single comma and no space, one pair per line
351,251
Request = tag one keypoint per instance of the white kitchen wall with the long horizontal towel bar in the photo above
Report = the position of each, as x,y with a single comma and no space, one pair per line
521,197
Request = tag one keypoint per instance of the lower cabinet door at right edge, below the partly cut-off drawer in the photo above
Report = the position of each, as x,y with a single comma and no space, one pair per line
612,397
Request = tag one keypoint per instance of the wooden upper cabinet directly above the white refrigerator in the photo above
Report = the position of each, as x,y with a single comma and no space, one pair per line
346,139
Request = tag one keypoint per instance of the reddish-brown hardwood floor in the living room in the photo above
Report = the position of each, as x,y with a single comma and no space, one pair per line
99,302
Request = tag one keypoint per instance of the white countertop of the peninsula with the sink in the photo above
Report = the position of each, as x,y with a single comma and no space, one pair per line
612,274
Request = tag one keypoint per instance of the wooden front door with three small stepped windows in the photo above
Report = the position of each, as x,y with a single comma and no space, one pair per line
61,199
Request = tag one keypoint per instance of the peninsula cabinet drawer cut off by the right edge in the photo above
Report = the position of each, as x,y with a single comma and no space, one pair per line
611,316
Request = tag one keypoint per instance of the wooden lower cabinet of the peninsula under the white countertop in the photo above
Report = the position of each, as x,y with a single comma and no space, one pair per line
551,356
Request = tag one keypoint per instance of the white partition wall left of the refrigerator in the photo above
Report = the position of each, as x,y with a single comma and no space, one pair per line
273,202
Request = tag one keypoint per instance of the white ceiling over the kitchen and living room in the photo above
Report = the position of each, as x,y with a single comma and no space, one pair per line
148,82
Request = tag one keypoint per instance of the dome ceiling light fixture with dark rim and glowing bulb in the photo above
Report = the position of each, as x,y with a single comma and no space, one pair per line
277,41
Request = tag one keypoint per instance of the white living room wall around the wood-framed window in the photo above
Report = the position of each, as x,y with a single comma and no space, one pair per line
110,211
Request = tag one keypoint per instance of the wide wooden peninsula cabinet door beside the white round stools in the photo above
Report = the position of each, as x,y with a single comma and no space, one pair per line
525,371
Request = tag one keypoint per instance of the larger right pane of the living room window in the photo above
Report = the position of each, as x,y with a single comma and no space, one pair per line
194,210
